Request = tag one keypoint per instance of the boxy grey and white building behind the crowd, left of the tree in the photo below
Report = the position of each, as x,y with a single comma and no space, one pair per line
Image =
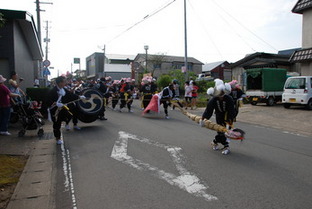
116,66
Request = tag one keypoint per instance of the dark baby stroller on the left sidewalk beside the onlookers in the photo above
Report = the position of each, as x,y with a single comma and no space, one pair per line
28,113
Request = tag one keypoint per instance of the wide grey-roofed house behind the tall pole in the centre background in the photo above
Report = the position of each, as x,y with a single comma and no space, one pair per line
162,64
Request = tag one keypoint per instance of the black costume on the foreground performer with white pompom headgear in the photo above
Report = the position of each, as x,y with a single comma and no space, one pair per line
224,110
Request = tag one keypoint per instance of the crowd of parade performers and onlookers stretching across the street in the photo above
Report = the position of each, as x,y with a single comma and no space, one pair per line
119,94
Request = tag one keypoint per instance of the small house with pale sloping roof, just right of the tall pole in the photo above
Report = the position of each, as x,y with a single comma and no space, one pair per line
218,70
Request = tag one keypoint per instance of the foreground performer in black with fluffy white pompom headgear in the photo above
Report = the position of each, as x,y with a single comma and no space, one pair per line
223,105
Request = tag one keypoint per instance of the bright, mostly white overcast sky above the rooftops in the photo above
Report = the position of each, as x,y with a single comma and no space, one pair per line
217,30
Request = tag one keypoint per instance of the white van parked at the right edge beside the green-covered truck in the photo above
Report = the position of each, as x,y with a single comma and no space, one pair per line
298,91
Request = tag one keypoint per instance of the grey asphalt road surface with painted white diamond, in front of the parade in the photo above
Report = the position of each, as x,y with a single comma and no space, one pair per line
131,161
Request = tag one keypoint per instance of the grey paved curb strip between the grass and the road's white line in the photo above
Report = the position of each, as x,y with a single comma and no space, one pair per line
36,188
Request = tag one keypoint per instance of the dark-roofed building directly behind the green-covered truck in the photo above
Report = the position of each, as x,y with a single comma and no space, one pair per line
261,60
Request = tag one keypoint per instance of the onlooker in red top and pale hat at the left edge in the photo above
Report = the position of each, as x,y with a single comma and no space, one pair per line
5,106
